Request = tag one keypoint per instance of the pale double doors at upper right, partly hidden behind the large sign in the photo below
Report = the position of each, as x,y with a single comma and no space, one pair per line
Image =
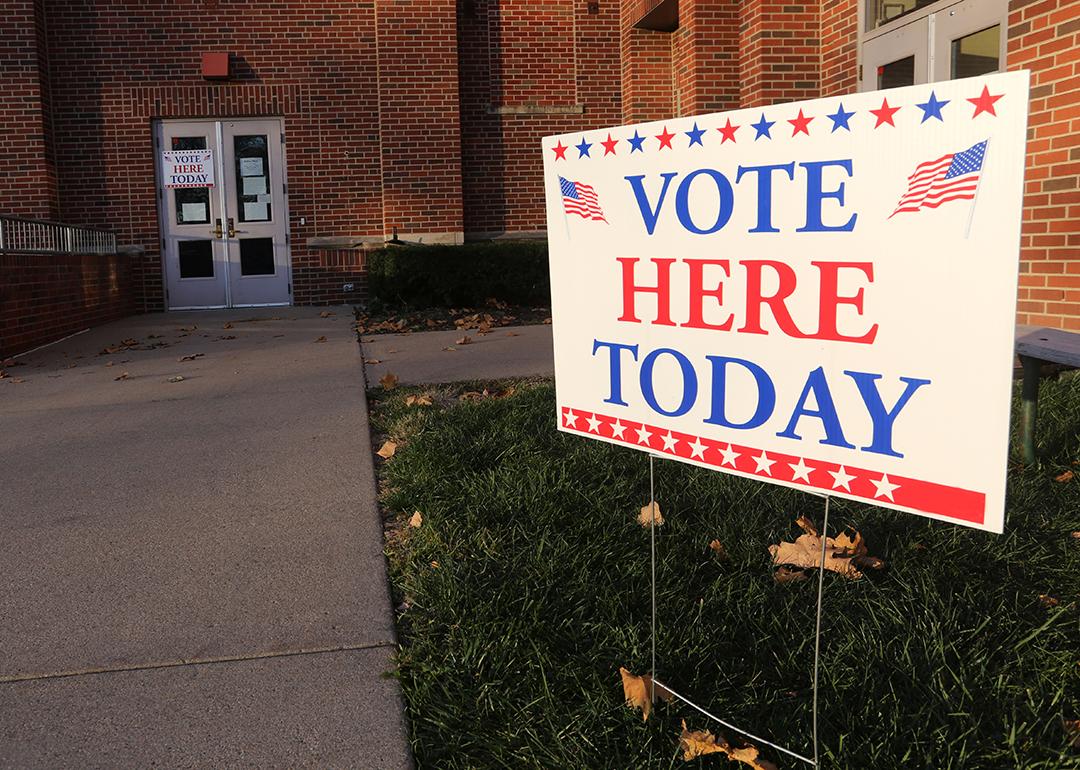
952,40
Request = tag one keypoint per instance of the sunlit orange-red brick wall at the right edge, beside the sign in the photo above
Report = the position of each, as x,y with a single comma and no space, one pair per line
1045,37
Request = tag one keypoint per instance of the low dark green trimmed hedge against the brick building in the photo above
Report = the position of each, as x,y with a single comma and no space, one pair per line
514,273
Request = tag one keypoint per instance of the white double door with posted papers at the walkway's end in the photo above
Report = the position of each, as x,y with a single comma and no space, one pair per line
225,246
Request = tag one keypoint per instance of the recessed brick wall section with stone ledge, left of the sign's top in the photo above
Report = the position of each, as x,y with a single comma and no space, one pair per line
576,89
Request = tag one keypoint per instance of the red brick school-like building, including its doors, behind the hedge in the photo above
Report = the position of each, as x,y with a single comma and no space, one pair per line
334,127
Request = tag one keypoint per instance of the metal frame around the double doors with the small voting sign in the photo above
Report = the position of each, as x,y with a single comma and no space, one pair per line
220,167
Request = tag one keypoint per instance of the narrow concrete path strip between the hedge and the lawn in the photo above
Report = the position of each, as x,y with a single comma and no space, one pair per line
426,357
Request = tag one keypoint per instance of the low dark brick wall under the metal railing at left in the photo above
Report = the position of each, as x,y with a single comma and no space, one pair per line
46,298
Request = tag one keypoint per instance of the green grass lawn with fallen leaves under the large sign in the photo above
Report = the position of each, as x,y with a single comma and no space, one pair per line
511,646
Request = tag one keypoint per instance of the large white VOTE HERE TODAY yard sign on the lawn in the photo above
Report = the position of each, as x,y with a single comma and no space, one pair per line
820,295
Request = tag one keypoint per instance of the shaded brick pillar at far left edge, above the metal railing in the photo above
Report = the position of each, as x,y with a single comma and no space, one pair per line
29,187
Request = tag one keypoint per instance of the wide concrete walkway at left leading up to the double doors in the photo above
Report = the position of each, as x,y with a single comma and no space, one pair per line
194,570
